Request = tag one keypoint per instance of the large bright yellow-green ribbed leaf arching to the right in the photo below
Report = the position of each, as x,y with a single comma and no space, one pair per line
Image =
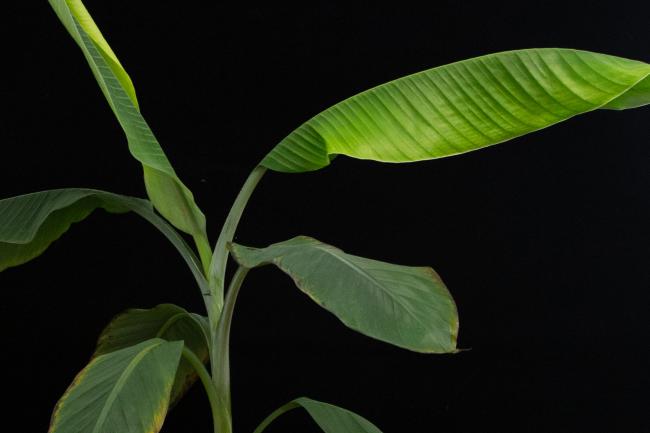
464,106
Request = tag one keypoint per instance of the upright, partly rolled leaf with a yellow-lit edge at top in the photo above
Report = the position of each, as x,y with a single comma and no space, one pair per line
166,191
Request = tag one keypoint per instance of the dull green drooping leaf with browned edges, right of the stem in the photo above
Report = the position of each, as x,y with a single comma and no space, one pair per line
409,307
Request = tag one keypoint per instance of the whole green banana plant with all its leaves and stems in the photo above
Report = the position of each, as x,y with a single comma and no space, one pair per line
147,359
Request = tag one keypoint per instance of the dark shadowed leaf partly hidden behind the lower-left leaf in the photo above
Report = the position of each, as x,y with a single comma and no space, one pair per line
166,321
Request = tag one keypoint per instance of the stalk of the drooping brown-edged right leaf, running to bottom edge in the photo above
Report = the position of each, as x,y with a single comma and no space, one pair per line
221,352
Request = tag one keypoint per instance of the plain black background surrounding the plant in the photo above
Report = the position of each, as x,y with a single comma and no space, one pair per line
543,241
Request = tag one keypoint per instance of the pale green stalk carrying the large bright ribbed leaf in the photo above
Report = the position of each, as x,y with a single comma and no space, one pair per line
217,271
